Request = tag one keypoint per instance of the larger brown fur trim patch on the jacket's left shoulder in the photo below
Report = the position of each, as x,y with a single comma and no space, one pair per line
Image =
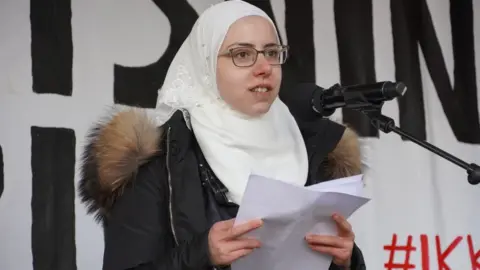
116,148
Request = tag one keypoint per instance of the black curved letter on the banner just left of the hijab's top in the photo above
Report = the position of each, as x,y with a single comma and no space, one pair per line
138,86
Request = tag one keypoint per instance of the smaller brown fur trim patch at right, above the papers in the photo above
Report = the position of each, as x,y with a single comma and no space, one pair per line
345,159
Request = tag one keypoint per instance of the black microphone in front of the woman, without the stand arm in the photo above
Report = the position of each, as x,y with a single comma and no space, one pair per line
309,100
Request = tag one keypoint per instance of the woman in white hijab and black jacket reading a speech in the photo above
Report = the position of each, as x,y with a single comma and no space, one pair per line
167,192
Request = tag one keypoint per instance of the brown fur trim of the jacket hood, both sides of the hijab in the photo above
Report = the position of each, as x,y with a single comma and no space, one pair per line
125,140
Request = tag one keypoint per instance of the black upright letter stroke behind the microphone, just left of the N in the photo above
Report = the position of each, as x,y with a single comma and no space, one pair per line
354,29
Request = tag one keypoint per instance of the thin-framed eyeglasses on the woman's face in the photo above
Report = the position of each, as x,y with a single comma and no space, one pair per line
247,56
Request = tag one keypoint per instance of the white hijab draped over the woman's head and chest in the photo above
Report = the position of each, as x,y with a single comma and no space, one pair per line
235,146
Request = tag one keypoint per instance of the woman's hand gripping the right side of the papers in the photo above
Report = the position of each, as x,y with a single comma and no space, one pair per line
340,247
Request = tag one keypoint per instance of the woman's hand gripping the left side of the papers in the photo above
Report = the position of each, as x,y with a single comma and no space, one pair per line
226,243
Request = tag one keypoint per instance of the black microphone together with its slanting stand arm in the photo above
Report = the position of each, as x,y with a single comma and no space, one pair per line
308,101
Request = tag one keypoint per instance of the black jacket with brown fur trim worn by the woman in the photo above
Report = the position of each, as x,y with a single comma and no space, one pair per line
157,199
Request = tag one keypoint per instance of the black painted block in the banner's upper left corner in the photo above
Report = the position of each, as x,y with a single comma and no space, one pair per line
51,46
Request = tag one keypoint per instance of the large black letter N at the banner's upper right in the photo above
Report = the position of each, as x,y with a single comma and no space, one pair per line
412,26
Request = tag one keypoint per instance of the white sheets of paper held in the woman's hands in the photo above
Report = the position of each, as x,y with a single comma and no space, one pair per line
289,213
